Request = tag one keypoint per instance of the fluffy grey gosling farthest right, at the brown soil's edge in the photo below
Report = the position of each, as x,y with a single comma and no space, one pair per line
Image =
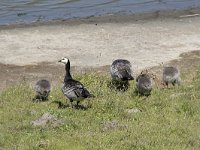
171,75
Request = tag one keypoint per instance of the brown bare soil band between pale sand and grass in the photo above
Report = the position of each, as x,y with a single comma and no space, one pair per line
11,75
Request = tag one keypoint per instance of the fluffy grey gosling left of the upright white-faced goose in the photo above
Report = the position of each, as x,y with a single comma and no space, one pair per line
42,90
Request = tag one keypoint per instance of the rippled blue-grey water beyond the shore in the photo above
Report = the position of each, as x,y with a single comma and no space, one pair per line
27,11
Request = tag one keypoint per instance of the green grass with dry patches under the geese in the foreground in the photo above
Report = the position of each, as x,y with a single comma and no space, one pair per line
170,118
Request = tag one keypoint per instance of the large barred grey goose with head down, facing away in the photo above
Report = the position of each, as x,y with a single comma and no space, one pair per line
121,73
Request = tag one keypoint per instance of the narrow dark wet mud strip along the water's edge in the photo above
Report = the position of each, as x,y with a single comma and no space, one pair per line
111,18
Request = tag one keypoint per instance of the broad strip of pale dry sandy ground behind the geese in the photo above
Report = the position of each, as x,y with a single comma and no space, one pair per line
26,51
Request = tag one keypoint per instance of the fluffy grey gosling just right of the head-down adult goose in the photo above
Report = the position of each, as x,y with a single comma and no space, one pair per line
144,84
